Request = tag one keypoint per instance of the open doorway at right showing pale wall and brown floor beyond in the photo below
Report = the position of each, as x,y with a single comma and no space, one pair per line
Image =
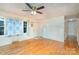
71,35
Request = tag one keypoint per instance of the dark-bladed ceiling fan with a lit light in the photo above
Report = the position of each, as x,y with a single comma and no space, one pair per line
34,10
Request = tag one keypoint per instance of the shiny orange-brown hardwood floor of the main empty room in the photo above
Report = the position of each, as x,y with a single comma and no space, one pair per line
36,46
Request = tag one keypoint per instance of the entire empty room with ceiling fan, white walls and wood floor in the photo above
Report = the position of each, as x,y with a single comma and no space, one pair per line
39,28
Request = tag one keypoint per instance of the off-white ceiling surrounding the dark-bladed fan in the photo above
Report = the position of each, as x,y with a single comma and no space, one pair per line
51,9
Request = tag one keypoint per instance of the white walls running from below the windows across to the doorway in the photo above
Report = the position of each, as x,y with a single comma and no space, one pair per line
50,28
